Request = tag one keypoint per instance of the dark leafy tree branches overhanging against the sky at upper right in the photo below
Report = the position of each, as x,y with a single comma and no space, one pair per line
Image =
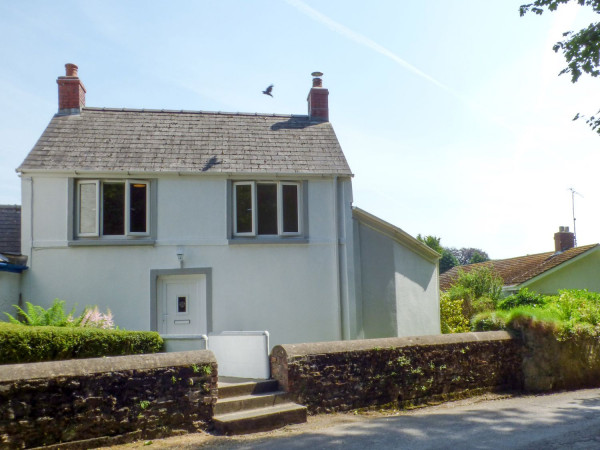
581,49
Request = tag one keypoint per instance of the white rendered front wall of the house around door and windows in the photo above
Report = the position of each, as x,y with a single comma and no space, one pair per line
287,289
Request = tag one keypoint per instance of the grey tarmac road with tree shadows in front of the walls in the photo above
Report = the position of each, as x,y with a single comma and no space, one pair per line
555,421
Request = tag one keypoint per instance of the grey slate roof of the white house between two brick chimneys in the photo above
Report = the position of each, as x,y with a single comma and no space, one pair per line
117,140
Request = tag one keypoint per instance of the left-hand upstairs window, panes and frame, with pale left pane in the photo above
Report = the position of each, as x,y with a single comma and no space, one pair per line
112,208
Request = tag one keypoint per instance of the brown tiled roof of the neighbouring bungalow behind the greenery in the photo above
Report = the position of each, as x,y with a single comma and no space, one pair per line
520,269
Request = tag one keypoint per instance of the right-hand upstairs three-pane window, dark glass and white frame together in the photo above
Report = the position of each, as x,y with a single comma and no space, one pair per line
266,208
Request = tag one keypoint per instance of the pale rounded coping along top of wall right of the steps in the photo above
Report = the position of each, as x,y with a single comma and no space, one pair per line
318,348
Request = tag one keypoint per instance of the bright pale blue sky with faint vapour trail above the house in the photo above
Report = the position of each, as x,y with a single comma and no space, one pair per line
451,114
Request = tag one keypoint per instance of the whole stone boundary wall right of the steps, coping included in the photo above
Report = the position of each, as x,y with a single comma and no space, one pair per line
401,372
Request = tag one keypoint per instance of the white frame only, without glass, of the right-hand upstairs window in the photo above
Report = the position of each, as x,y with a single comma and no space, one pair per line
279,184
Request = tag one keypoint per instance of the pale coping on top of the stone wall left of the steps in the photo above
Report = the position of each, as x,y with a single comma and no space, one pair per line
81,367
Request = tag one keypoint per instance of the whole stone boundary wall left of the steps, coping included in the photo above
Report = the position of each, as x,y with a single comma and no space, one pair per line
84,401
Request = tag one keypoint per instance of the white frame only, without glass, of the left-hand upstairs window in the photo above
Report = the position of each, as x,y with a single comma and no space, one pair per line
99,233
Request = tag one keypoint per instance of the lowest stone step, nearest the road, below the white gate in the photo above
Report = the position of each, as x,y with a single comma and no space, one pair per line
259,419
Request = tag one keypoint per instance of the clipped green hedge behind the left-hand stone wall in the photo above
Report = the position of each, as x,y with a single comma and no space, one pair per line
21,344
